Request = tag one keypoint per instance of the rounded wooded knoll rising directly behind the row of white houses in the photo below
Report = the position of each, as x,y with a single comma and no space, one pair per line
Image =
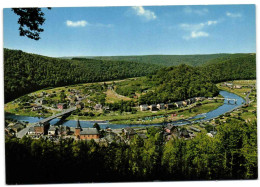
178,83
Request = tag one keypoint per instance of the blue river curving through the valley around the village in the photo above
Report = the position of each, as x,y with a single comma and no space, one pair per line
226,107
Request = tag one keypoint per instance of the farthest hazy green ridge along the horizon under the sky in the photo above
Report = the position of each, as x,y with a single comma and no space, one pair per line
171,60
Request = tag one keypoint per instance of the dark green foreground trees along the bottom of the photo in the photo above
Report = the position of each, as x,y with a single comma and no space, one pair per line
231,154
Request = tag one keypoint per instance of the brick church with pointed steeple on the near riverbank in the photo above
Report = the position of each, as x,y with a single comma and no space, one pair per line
86,133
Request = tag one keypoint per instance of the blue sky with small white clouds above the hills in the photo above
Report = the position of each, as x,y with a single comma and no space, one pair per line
109,31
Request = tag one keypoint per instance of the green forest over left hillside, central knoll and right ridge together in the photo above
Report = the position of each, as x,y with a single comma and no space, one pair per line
25,73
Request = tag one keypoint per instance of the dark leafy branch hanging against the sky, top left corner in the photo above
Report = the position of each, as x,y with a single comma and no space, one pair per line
30,21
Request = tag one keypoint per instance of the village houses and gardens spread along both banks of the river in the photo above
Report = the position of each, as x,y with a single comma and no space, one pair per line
169,130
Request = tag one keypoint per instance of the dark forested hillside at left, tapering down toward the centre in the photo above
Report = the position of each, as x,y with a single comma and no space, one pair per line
24,72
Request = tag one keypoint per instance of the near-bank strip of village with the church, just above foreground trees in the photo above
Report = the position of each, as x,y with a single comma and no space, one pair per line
108,135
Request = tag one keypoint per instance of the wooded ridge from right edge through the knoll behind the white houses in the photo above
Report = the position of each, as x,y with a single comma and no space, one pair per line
181,82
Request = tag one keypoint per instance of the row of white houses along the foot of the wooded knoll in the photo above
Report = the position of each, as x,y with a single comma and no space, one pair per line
177,104
